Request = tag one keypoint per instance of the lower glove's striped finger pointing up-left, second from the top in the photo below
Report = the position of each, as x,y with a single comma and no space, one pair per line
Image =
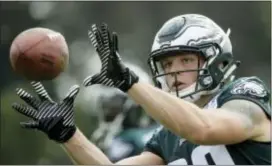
28,98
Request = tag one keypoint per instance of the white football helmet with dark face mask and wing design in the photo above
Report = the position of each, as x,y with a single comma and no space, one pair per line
199,34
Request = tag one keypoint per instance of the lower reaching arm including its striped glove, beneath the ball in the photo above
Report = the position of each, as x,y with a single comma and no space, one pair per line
56,120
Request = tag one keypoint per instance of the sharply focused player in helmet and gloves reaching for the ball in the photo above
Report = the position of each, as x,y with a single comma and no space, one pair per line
207,117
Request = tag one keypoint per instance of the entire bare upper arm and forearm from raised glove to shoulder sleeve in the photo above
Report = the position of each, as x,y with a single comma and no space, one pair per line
230,124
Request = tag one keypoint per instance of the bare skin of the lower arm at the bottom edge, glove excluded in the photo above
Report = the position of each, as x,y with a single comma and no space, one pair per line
83,152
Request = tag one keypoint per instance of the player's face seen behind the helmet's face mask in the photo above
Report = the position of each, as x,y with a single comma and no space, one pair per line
181,62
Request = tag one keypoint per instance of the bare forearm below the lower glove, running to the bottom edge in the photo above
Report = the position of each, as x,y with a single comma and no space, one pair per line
83,152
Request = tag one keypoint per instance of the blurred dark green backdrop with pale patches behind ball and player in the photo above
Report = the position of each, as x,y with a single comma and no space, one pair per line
136,23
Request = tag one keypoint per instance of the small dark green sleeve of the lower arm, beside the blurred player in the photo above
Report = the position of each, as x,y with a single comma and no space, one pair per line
155,142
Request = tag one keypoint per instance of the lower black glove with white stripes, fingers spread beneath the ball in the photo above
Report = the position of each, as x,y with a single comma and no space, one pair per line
54,119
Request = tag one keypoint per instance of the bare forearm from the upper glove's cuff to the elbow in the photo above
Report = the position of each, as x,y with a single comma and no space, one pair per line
179,116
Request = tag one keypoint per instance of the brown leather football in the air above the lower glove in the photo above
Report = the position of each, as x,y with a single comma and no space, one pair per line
39,54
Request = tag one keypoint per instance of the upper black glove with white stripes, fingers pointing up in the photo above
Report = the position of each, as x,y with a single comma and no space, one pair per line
113,72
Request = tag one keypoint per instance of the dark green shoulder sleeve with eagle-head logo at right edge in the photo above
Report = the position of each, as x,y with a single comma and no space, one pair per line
248,88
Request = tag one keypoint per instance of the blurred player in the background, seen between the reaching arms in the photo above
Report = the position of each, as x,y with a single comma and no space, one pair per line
123,127
